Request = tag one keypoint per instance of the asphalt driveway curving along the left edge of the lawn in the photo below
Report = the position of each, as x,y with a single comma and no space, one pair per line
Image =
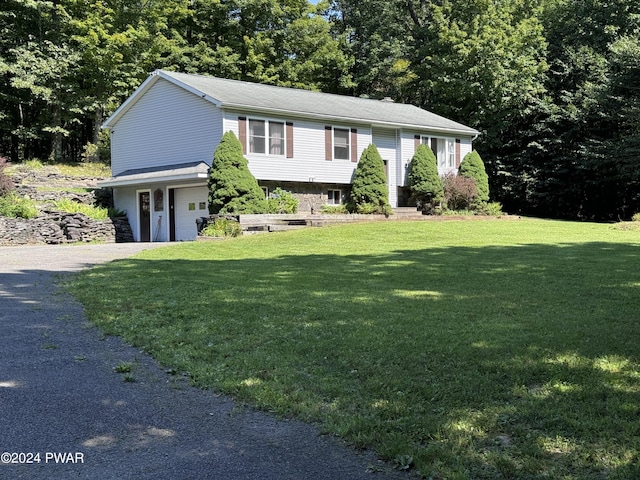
65,413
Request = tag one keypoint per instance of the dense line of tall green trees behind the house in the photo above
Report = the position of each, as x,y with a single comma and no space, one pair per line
553,85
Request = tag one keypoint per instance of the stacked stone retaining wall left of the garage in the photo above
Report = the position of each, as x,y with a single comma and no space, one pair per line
57,227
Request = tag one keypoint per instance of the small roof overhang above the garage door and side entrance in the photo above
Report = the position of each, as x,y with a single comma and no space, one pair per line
169,173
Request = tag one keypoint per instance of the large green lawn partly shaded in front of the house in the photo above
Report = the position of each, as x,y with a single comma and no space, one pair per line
462,349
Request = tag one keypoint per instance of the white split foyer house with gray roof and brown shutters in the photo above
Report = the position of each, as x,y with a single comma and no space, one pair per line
163,138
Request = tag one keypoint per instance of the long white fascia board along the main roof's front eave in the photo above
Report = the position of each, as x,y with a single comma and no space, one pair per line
342,119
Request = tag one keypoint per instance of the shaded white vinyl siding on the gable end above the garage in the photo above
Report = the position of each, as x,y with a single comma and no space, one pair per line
166,126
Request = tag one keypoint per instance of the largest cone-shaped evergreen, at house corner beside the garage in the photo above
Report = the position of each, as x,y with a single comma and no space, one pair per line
232,187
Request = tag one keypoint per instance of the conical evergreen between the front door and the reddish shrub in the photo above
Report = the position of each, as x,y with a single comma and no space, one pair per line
424,182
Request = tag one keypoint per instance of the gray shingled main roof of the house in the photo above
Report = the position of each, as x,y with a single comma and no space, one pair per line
258,97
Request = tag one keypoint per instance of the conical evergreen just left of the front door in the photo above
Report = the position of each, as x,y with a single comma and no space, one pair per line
369,192
